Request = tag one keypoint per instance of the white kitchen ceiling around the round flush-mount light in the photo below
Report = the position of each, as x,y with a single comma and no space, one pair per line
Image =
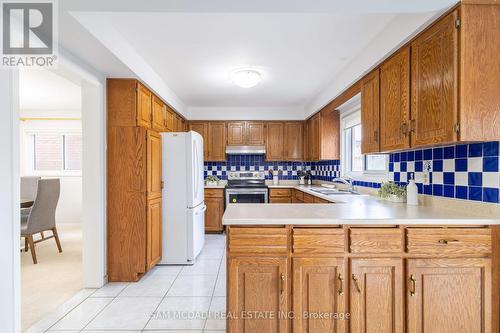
308,51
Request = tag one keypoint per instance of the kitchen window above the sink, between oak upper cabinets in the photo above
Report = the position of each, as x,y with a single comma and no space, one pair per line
355,164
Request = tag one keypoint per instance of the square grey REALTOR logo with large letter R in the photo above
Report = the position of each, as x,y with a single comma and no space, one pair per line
28,34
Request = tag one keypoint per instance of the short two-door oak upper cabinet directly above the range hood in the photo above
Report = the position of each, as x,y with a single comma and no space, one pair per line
249,133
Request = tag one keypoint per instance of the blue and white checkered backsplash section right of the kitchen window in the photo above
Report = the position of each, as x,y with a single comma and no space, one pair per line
464,171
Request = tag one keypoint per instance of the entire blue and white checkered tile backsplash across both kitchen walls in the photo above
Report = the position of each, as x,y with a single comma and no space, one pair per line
463,171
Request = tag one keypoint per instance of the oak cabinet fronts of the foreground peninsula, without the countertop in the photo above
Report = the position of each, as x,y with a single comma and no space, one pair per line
332,288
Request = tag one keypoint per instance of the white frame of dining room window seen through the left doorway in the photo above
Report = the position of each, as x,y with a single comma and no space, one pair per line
29,153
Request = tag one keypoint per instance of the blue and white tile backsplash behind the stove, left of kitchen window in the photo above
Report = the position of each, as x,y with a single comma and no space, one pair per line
324,170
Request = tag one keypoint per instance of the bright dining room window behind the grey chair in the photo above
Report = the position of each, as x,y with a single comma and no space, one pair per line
54,153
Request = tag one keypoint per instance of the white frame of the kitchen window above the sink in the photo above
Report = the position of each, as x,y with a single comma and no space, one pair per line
349,119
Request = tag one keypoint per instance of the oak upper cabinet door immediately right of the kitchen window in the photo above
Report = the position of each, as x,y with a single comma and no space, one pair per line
370,121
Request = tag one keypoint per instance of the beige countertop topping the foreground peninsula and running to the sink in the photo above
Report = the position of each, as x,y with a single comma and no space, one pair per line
349,209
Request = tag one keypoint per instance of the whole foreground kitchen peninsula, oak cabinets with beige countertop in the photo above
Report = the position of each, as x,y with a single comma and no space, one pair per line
360,265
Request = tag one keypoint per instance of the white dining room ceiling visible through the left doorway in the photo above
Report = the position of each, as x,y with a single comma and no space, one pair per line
42,91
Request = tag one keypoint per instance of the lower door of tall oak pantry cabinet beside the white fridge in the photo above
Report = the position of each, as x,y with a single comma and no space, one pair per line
154,230
